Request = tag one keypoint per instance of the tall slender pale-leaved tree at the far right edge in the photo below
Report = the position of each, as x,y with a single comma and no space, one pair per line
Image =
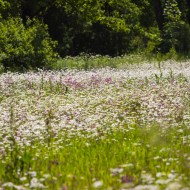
176,30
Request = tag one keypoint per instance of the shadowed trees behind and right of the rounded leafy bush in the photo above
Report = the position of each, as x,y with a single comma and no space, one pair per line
108,27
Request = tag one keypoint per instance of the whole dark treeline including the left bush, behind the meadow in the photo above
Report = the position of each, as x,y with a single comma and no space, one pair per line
34,32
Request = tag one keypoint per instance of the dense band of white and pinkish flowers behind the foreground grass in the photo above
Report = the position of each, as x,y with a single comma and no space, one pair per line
40,105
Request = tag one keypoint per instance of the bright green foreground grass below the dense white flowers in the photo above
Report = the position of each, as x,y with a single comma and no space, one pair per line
118,159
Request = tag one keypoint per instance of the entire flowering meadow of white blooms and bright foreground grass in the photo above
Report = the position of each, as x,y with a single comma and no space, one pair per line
99,129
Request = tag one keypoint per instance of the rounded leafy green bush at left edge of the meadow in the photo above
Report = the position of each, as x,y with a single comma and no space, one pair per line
25,46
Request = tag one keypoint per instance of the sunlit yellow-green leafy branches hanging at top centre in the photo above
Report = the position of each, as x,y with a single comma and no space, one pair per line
110,13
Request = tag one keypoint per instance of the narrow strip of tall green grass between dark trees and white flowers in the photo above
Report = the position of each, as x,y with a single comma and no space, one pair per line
88,61
